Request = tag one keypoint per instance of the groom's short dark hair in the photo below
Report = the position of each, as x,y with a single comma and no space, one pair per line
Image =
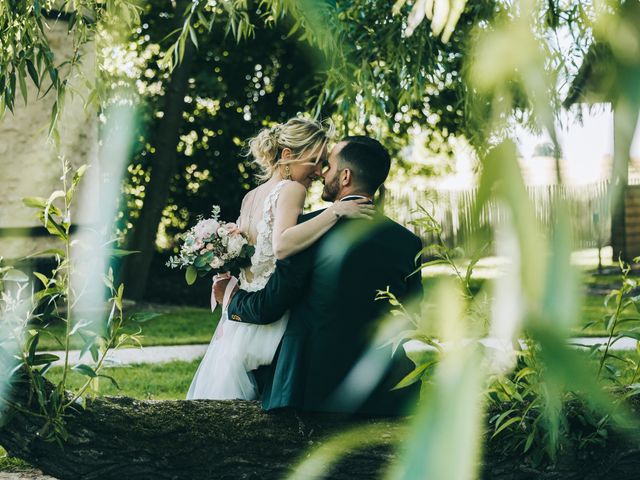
368,161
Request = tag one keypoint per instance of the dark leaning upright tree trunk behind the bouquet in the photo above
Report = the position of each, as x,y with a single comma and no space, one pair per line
136,267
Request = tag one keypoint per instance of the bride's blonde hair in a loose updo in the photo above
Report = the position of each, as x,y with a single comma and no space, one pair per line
304,137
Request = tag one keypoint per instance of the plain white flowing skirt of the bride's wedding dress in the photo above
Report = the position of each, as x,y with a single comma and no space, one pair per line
235,350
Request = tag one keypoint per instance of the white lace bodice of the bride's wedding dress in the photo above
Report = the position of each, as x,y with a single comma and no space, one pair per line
263,261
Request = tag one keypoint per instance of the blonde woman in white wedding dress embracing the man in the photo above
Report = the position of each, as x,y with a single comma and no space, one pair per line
291,156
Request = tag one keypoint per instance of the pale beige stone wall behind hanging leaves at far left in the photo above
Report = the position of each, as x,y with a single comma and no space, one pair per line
29,163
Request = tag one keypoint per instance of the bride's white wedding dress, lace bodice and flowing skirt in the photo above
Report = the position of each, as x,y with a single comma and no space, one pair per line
238,348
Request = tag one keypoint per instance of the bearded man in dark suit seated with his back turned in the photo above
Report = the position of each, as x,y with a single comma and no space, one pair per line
326,360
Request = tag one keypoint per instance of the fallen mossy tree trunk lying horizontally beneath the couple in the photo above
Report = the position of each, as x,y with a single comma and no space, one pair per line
120,438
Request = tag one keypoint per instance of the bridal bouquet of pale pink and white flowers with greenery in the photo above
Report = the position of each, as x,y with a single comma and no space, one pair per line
212,246
